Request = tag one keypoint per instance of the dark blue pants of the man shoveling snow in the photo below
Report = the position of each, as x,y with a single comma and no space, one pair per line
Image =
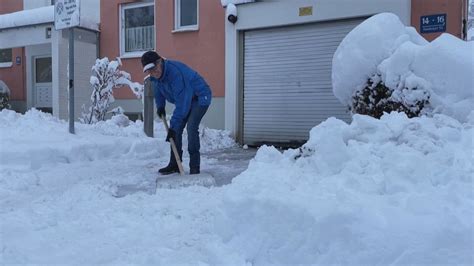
191,122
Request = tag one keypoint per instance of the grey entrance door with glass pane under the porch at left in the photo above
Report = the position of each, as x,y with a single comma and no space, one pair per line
43,89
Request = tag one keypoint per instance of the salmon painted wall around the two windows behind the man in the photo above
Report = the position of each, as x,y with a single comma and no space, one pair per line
203,50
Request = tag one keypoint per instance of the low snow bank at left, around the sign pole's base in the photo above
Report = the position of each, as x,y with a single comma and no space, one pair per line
46,141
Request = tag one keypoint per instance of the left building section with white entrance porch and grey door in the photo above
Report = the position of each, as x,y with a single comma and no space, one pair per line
34,56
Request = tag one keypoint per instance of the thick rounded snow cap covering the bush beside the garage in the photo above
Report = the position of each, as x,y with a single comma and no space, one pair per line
383,46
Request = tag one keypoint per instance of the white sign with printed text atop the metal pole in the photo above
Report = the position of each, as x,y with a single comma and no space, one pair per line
66,14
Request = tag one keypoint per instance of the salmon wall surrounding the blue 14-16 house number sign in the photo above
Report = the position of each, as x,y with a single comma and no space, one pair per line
452,8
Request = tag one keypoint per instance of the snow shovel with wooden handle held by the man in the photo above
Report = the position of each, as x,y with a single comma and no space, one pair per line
173,181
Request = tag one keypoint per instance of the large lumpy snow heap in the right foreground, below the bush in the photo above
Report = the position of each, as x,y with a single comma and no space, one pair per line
394,191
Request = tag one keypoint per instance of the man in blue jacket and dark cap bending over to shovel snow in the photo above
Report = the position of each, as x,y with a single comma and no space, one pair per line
180,85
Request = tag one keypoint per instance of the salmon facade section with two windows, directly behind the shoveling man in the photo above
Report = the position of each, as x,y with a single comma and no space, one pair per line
188,31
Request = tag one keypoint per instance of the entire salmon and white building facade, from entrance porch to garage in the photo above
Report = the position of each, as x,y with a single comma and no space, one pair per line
269,70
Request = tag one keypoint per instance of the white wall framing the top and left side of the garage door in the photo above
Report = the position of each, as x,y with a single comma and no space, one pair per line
273,13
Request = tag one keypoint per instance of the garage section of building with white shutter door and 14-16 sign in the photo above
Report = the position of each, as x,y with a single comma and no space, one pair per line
279,59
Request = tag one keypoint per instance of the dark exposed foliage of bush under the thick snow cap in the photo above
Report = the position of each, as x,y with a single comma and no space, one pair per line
375,99
